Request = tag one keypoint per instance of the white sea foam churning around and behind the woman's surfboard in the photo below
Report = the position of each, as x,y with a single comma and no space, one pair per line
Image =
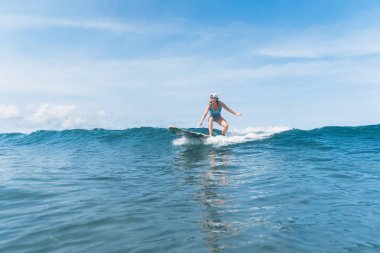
234,137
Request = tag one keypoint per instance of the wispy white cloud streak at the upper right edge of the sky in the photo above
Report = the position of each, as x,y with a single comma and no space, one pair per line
343,40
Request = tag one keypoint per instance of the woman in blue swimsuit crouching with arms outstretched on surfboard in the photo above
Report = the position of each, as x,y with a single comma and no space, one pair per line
214,107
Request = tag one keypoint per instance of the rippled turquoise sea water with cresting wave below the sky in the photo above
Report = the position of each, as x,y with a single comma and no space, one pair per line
147,190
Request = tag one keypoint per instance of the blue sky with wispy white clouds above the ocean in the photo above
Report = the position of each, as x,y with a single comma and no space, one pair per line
119,64
